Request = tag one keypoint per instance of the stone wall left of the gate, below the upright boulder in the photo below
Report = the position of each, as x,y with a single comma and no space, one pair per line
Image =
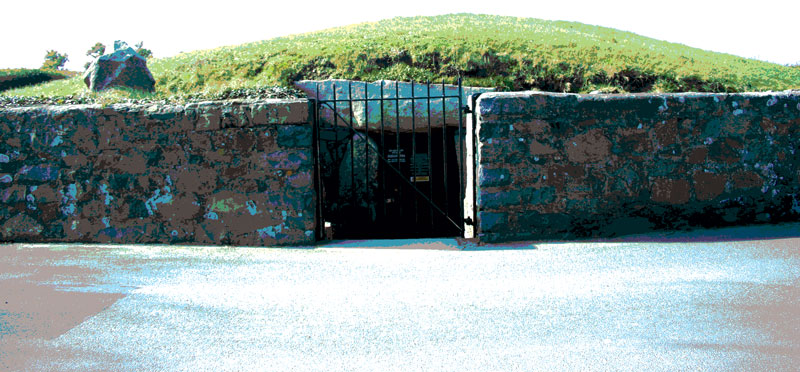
230,172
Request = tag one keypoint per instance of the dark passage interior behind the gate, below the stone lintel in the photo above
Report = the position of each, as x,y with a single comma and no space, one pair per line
392,186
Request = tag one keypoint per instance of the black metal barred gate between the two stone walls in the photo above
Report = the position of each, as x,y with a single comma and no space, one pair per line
390,165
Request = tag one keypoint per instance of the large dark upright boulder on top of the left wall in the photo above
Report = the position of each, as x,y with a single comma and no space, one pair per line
122,68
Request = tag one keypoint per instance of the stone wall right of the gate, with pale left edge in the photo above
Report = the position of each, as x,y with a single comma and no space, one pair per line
563,165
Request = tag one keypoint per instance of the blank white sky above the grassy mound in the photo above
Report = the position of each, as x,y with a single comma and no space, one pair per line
766,30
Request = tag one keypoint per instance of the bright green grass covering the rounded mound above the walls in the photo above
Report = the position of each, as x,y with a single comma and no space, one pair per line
504,52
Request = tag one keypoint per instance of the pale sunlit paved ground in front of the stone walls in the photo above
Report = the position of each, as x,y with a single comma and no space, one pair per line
724,300
